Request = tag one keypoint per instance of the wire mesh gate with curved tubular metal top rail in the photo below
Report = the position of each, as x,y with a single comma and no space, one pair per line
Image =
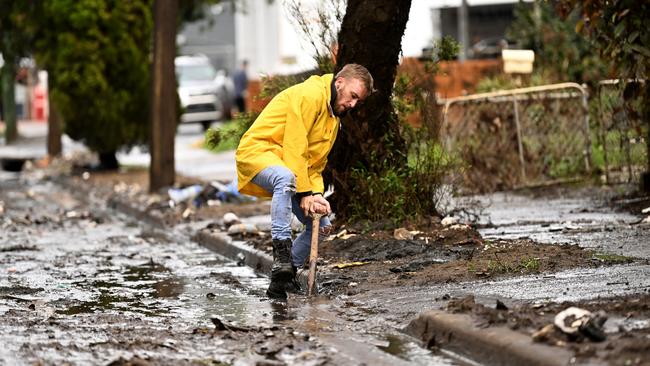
520,137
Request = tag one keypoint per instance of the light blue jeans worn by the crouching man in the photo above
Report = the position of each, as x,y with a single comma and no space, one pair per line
281,182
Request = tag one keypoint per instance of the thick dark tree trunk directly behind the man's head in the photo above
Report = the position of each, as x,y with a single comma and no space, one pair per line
371,35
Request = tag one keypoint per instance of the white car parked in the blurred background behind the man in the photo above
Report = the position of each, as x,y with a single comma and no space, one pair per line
205,94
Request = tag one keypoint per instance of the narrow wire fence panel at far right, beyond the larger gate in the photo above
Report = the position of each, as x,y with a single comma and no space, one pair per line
621,148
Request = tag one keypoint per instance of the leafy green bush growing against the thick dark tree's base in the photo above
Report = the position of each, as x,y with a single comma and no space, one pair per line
411,192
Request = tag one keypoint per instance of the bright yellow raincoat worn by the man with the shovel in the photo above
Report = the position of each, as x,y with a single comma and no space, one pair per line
297,130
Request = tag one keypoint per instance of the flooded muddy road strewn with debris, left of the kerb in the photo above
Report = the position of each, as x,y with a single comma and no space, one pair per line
82,284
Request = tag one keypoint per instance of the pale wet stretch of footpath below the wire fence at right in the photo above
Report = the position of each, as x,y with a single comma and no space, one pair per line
596,218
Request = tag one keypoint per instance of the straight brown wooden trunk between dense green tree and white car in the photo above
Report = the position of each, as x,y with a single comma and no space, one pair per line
163,96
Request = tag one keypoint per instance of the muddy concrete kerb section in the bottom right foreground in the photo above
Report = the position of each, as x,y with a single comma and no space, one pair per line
488,346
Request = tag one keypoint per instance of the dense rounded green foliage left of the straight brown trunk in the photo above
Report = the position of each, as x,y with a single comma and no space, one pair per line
99,68
